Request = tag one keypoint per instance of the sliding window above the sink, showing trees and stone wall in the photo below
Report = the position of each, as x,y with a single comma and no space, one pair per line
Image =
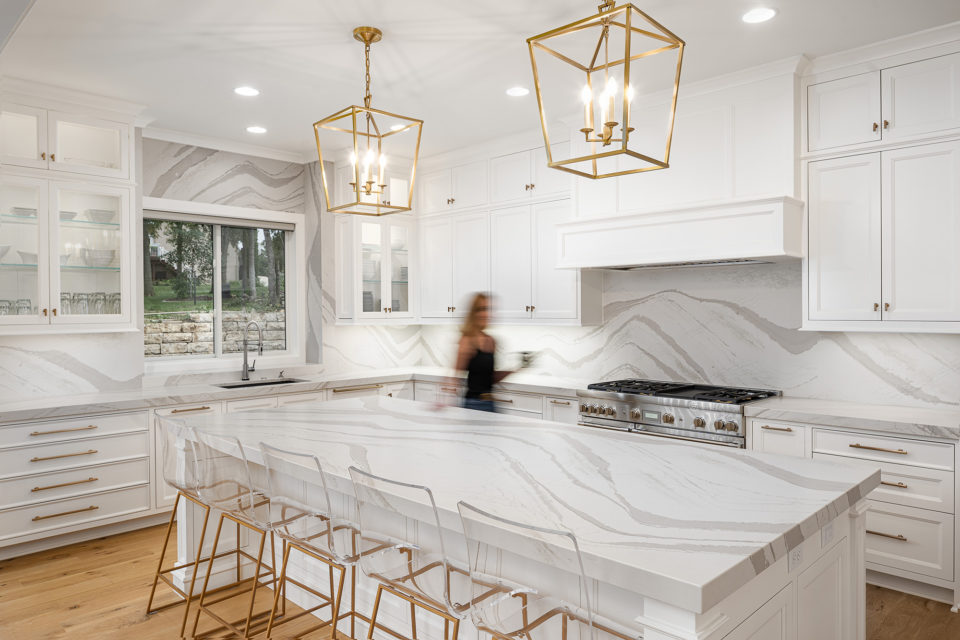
205,280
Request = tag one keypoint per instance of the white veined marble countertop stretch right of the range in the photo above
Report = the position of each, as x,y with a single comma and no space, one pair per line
939,423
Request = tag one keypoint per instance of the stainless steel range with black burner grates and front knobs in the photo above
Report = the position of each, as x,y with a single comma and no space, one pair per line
696,412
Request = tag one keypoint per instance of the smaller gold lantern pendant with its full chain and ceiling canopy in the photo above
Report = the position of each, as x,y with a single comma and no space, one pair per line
360,182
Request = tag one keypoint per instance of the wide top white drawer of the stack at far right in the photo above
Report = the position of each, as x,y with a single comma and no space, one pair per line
884,449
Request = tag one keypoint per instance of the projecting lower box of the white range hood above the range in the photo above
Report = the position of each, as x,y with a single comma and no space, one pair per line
732,232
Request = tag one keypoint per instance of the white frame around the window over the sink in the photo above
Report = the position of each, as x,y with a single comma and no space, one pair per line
296,290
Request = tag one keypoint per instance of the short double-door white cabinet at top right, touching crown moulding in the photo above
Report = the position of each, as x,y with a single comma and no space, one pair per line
898,103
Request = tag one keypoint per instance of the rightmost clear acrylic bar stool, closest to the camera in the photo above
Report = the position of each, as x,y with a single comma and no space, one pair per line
530,580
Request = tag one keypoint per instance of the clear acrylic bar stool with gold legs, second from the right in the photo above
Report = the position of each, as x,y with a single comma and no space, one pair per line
403,547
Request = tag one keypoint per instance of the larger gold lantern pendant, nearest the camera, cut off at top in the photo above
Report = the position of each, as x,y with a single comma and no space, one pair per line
612,56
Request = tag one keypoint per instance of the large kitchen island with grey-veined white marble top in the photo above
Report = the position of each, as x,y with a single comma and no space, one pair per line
685,541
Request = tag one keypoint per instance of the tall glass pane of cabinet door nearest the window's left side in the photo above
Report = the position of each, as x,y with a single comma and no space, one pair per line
89,248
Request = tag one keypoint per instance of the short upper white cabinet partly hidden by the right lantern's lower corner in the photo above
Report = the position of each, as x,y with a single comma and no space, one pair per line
524,175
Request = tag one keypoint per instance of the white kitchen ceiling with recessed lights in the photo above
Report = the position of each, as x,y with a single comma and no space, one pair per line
447,62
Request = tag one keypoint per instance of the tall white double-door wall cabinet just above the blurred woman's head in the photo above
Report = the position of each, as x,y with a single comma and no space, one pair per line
455,257
